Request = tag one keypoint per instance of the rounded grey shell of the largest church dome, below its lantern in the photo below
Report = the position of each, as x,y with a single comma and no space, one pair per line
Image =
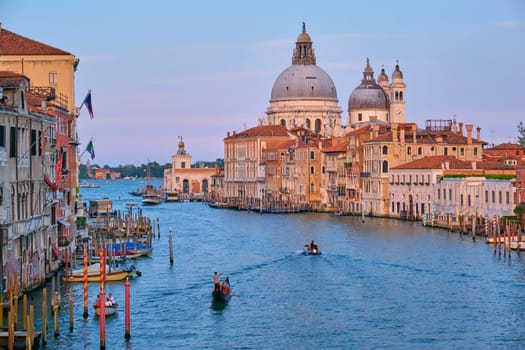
300,81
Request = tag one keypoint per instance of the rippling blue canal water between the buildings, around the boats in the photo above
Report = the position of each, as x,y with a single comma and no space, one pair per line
379,284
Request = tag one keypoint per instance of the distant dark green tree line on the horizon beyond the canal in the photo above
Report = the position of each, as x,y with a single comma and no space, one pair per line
139,171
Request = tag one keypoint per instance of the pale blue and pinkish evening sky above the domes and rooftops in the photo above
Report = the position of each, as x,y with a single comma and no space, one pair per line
198,69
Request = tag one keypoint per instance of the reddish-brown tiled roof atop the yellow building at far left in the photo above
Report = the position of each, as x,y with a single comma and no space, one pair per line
15,44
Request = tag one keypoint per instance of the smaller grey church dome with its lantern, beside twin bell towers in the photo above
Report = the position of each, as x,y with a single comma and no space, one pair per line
368,95
